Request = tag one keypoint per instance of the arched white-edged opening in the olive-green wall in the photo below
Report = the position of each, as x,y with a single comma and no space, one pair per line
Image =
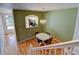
31,21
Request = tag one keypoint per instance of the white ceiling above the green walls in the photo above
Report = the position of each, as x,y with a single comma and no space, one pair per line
39,6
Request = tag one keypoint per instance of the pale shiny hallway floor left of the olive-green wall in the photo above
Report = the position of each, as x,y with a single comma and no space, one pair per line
10,45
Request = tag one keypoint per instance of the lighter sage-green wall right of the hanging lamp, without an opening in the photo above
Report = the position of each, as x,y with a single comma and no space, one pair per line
60,23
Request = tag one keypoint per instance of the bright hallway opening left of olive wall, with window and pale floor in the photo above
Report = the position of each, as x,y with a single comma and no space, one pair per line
10,41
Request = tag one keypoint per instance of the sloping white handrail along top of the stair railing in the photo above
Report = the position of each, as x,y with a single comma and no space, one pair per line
59,45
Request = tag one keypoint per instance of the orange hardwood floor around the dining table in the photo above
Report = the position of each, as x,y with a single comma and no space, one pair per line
23,46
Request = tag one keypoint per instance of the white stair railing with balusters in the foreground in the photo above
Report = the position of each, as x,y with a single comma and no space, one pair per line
64,48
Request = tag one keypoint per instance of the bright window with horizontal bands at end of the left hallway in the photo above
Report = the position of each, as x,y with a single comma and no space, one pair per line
9,22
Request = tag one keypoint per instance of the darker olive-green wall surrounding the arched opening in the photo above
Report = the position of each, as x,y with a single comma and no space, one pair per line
19,18
